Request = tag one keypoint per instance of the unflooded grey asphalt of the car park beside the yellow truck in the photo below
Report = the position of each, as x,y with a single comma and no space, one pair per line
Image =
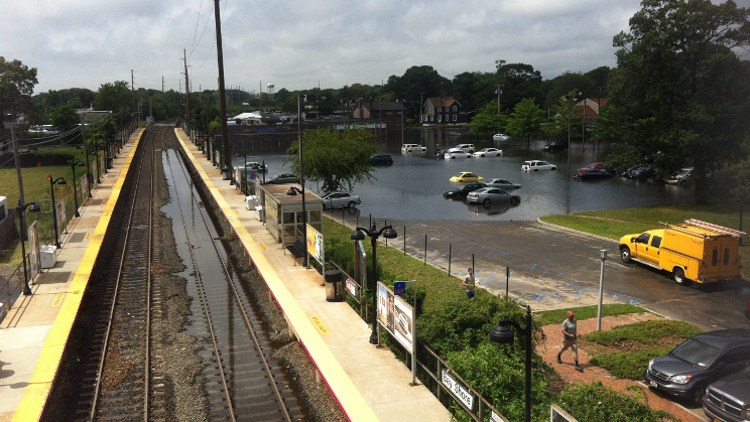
554,268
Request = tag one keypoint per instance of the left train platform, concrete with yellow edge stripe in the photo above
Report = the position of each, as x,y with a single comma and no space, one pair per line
35,330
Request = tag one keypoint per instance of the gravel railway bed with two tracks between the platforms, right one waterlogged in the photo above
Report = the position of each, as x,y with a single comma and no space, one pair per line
128,370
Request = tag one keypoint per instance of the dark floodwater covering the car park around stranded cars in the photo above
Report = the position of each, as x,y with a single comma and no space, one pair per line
412,188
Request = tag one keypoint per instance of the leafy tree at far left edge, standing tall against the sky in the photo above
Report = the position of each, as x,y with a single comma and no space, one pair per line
17,83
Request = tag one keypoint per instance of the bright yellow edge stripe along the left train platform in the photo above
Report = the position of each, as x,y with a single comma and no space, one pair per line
42,378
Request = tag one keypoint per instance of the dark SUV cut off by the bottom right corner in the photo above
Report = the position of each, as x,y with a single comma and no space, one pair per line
728,399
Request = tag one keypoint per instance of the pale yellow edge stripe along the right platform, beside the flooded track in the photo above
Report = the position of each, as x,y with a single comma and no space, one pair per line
344,391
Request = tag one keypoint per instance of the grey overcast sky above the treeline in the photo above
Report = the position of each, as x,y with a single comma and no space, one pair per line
302,44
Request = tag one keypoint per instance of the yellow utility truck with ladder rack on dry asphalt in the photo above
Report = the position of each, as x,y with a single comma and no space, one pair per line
695,251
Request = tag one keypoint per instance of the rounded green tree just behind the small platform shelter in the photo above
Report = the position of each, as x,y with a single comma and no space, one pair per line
335,159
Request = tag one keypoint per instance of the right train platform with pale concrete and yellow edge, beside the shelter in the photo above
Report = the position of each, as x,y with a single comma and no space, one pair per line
368,382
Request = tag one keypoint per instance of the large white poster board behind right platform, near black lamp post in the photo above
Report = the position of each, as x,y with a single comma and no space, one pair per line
397,316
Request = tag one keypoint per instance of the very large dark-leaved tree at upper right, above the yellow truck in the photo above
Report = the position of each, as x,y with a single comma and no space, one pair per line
680,89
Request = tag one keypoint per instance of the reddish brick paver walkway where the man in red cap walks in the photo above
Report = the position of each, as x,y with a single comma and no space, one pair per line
548,350
